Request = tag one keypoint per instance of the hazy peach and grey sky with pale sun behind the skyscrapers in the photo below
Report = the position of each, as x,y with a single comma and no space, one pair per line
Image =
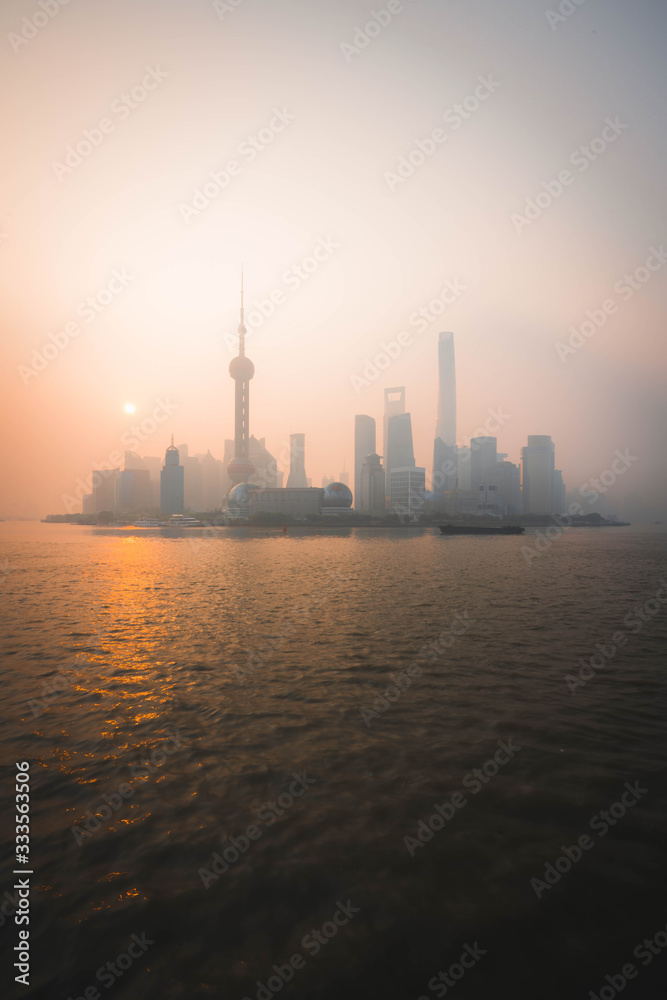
496,164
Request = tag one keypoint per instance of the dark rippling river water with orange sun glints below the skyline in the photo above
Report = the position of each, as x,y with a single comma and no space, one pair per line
273,720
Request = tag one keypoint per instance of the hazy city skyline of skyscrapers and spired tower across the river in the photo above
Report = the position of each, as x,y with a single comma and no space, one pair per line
468,479
